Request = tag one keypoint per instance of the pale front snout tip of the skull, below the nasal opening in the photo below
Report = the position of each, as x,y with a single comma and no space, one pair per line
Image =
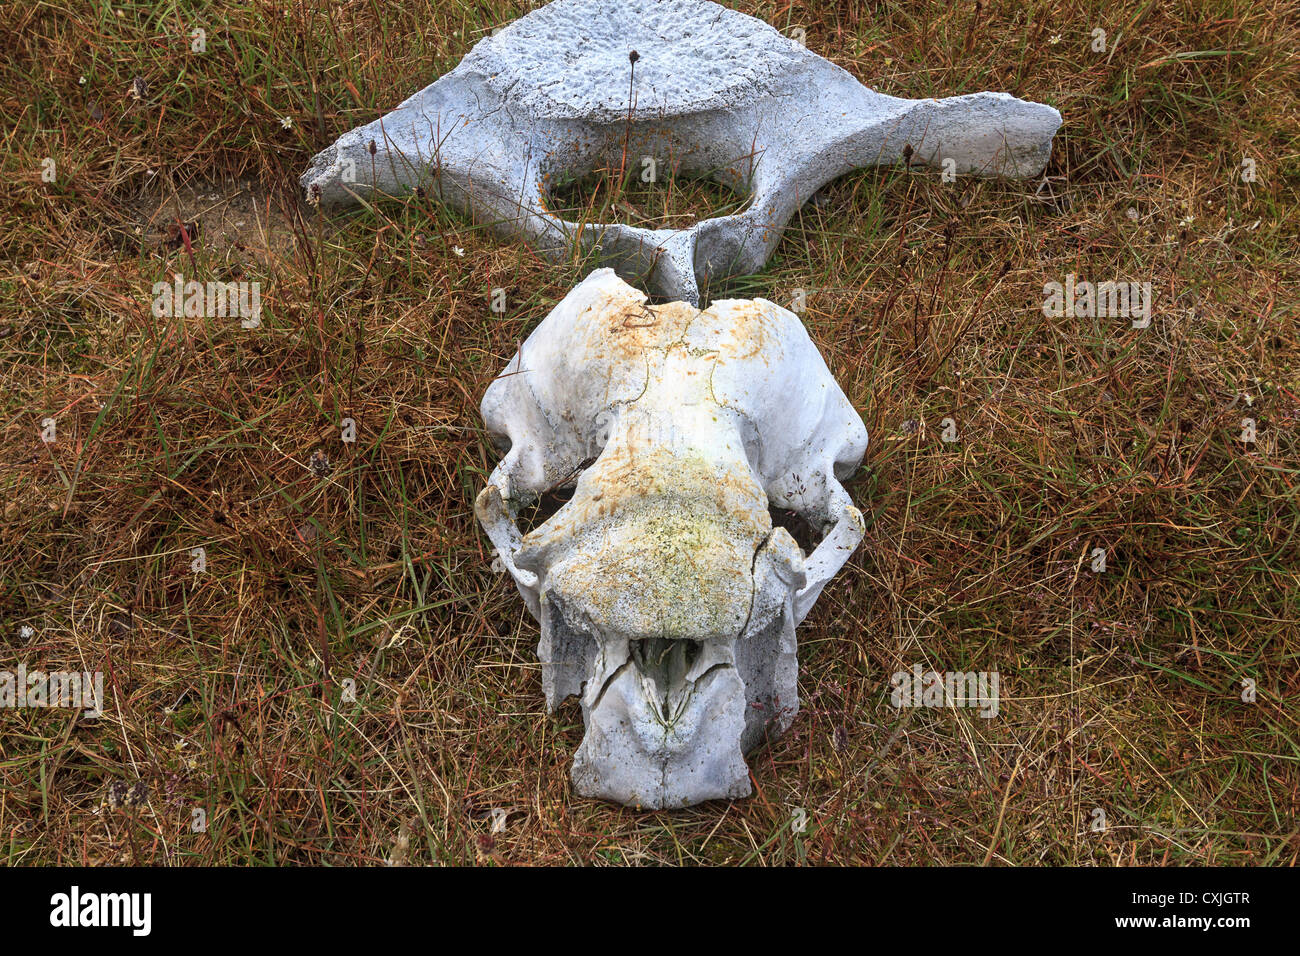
665,729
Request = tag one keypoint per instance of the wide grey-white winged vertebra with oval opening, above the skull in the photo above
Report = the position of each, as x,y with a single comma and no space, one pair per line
721,94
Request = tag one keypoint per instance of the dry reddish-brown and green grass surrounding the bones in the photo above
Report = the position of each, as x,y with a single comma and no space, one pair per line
228,691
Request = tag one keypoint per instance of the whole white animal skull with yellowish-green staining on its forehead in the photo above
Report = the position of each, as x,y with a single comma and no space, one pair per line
666,598
